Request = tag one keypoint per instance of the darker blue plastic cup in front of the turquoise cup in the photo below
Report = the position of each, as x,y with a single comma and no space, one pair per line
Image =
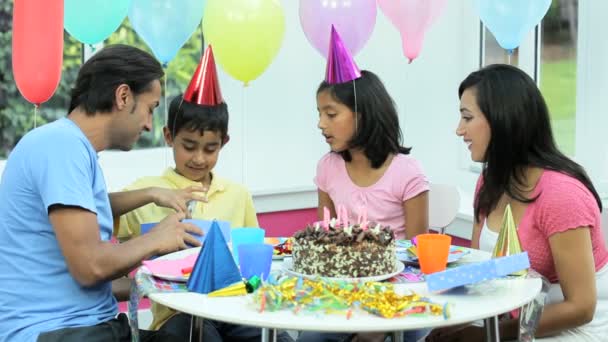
256,259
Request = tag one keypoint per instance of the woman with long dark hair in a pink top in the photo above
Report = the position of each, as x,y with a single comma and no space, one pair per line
505,123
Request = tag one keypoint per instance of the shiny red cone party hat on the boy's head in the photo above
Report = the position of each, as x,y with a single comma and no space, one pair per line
204,87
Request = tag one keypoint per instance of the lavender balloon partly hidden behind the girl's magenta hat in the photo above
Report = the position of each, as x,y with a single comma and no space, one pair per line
354,20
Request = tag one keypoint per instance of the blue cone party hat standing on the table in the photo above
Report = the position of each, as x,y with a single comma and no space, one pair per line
214,268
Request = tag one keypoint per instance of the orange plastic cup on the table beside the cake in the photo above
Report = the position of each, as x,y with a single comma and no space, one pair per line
433,251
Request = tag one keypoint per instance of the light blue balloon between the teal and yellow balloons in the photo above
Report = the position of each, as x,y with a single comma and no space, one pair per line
166,25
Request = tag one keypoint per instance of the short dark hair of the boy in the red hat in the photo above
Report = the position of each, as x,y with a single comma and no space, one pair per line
193,117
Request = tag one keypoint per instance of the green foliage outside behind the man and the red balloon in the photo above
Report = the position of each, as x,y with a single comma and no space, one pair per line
17,115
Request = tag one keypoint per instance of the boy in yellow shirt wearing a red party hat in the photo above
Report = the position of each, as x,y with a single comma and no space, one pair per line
197,129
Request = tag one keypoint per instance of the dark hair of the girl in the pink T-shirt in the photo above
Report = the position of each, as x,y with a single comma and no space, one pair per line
378,132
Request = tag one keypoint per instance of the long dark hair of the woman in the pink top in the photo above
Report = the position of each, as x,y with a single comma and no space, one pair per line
521,135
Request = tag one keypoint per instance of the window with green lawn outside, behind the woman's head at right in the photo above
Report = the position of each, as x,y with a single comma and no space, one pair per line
548,54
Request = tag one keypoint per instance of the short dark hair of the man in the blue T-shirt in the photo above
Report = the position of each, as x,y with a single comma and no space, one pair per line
112,66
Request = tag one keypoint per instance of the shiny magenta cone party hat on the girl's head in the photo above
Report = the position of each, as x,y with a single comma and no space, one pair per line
340,67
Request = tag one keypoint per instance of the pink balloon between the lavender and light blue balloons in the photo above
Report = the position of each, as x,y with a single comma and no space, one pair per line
412,18
